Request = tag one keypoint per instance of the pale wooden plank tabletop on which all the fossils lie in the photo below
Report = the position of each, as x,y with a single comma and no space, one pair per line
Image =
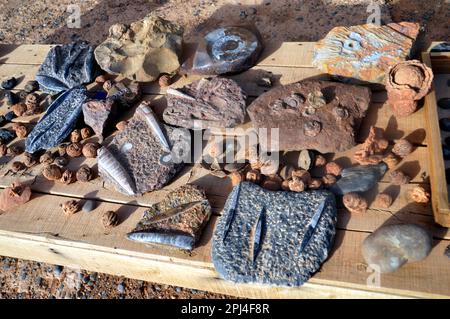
39,231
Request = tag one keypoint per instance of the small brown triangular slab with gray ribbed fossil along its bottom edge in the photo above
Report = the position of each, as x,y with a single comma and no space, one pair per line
176,221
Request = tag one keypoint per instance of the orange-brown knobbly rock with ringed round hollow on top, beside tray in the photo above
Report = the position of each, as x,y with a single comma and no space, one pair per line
407,82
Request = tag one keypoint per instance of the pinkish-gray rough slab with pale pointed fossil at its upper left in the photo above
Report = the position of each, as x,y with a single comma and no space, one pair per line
206,103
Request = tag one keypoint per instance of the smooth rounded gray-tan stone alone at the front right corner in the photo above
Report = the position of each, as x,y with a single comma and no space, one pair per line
391,246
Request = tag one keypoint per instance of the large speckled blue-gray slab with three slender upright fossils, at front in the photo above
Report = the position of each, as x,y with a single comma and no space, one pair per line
260,241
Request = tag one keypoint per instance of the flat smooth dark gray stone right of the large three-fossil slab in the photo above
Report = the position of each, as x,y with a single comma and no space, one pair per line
359,178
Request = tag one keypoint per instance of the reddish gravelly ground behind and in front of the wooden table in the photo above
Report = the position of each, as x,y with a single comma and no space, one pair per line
45,21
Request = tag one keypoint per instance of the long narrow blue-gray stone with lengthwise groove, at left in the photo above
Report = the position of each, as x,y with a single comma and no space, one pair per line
59,120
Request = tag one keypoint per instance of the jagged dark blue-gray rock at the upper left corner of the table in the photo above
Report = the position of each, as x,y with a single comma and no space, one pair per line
67,66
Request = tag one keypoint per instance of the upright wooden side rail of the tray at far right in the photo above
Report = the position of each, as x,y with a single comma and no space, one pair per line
439,191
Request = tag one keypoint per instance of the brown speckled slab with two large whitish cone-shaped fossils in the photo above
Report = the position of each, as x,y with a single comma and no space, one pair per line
138,158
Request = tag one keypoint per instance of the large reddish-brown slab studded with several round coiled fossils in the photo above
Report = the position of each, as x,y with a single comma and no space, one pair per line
315,115
